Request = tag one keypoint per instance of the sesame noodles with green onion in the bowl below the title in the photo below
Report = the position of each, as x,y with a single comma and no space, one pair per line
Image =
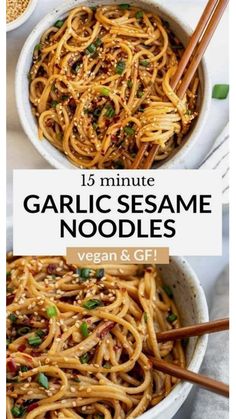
79,339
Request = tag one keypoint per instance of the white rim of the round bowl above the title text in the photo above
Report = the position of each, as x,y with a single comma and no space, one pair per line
65,163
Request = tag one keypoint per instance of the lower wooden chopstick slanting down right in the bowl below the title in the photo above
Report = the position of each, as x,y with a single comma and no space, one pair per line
184,374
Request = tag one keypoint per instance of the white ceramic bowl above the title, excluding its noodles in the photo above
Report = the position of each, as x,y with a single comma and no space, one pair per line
50,153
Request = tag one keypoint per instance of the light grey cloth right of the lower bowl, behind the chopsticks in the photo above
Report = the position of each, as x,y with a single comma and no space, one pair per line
208,405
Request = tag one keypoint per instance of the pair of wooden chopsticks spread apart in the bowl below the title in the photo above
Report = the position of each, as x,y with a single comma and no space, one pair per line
184,374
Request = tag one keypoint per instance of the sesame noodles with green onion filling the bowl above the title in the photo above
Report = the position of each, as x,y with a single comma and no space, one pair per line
100,86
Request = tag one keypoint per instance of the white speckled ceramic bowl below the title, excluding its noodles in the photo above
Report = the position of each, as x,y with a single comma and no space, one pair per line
191,303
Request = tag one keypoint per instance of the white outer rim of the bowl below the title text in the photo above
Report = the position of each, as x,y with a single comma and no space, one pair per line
183,388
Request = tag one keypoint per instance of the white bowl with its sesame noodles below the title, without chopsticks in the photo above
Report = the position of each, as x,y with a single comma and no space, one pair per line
161,401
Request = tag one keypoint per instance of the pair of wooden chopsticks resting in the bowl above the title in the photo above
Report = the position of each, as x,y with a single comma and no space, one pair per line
190,61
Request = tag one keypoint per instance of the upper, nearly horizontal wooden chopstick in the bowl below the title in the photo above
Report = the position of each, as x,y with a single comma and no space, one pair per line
194,330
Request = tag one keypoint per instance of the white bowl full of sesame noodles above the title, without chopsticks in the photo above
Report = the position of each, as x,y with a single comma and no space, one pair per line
93,107
